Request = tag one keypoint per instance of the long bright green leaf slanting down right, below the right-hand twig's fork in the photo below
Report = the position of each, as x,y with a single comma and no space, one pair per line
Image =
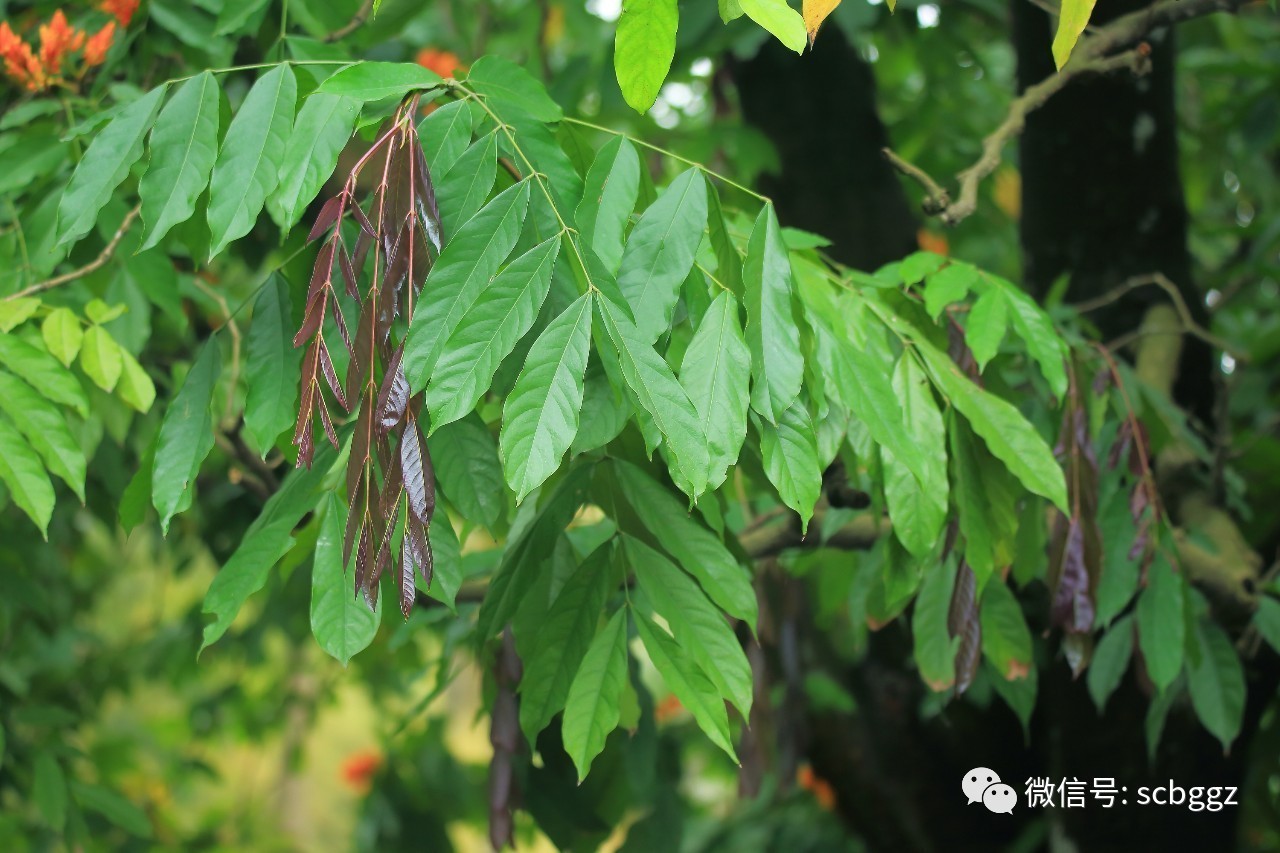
1005,431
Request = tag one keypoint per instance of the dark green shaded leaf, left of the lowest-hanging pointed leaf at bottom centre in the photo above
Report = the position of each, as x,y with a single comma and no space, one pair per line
564,637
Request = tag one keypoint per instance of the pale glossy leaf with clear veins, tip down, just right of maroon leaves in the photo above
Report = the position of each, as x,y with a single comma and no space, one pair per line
541,417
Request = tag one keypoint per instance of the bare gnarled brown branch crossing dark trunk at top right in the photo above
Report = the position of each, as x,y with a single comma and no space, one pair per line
1095,54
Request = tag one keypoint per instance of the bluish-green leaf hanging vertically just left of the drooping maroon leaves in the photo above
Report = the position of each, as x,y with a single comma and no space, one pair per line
272,370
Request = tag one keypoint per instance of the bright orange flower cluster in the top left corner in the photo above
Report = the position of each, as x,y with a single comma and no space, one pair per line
58,40
